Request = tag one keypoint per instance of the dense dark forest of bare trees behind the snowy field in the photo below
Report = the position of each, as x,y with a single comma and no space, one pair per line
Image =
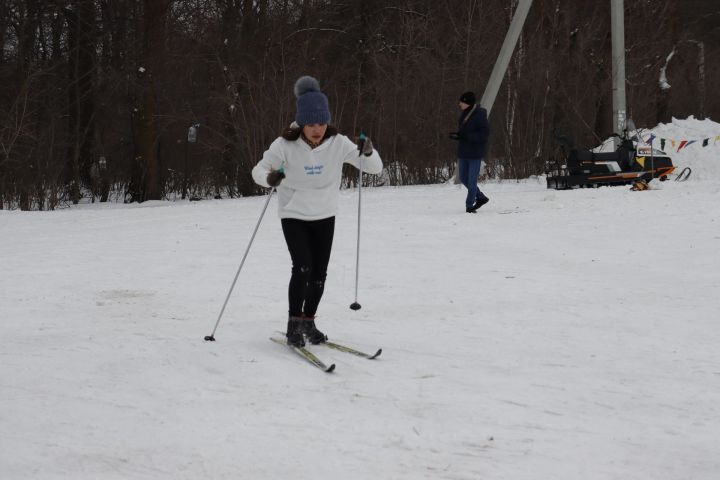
96,96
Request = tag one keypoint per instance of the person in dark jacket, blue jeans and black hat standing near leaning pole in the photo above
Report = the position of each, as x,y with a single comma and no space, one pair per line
472,136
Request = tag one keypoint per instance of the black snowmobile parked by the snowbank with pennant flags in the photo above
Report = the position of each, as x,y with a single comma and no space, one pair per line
629,164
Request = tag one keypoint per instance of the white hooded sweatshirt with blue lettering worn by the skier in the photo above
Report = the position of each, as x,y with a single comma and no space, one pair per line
310,189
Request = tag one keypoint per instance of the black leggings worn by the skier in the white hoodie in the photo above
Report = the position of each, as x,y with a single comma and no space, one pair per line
309,243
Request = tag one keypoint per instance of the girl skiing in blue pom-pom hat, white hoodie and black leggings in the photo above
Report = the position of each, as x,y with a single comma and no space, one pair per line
305,164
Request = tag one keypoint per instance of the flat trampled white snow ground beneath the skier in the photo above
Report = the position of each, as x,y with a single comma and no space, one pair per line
554,335
